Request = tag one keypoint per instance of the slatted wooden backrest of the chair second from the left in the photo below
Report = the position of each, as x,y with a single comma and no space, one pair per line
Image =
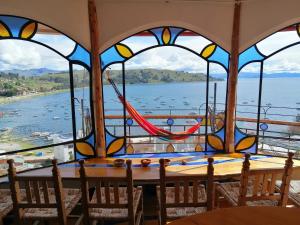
107,191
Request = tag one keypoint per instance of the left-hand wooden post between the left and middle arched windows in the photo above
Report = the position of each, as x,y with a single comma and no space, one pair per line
97,81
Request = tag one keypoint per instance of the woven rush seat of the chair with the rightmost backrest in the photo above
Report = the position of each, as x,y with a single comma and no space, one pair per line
230,190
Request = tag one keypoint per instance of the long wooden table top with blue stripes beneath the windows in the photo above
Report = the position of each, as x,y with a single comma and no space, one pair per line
226,165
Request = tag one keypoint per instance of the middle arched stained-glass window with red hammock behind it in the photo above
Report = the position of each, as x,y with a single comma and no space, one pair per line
161,87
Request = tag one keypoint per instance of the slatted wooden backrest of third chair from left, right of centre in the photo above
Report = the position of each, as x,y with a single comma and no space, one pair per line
186,188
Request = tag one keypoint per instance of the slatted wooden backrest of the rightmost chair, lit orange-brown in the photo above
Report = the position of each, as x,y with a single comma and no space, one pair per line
263,183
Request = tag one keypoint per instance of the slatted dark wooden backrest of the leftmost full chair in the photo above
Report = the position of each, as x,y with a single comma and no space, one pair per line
37,192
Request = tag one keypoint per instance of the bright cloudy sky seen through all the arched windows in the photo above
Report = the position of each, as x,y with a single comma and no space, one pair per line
17,54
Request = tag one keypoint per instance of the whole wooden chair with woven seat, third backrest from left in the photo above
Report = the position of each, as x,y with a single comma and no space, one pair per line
182,195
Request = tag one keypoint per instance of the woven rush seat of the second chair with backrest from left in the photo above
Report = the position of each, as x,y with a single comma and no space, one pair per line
98,213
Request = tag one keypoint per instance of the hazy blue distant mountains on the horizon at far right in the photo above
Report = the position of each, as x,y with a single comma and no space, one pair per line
256,75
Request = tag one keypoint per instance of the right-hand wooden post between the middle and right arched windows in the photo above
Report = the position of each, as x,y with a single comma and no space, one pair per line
232,80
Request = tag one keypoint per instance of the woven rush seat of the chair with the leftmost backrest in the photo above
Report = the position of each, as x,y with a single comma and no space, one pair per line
72,197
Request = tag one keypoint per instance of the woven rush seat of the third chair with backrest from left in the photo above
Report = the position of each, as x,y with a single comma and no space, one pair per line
178,212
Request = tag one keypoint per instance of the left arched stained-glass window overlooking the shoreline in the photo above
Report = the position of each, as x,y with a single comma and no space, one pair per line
45,105
